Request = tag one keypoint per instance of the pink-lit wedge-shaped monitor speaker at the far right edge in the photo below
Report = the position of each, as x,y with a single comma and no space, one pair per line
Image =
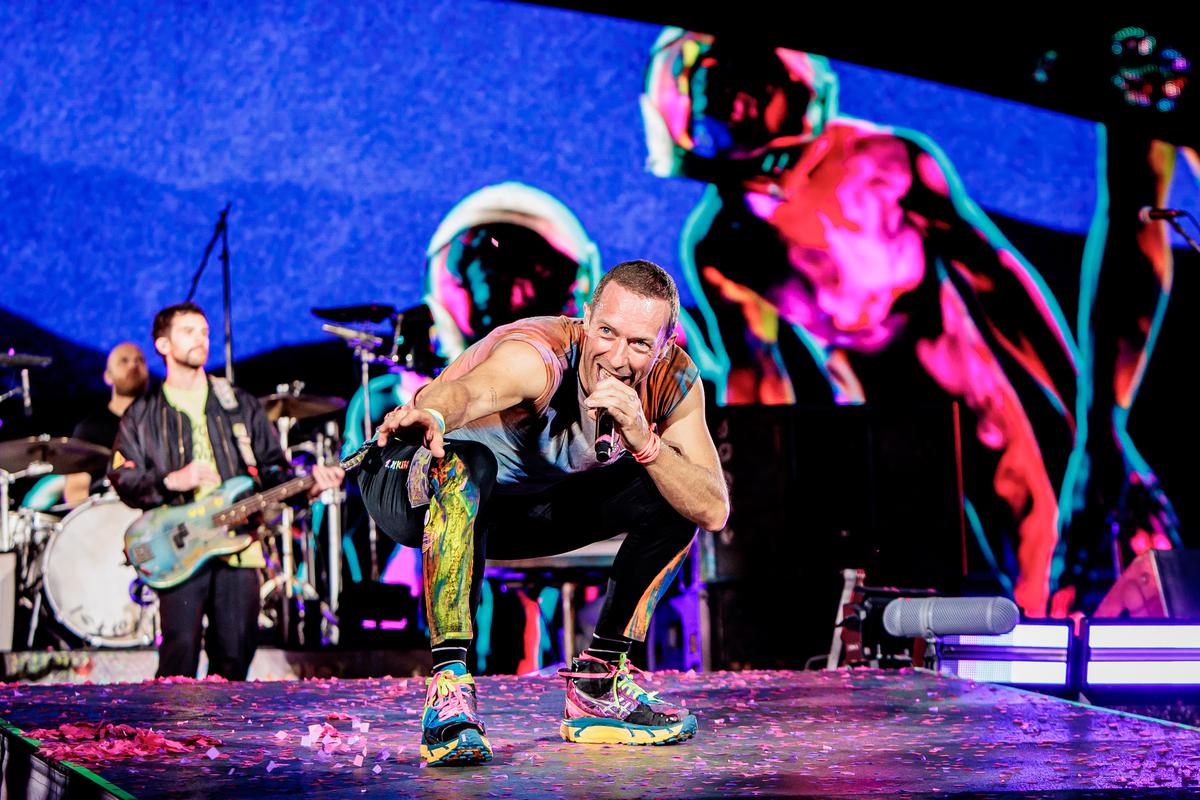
1157,585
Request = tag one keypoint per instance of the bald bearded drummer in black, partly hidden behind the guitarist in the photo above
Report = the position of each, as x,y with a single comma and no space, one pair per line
127,376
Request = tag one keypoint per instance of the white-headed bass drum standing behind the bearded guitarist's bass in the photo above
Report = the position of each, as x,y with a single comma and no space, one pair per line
88,584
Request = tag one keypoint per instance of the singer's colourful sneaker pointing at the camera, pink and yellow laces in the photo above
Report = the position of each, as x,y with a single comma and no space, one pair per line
452,732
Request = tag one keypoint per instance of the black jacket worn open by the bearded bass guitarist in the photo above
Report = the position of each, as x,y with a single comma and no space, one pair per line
155,440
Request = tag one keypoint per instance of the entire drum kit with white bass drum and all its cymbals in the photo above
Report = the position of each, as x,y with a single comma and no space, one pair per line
70,562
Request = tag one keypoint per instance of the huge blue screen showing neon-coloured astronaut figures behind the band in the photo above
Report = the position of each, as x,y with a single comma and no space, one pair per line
841,234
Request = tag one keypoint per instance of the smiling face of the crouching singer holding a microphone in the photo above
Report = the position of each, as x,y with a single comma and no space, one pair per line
626,335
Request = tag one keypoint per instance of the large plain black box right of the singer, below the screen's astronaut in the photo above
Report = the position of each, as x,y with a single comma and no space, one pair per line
814,491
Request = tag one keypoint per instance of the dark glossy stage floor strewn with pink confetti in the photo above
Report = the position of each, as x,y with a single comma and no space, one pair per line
761,735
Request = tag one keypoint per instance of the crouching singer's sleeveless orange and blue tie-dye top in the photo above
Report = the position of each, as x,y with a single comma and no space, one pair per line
538,444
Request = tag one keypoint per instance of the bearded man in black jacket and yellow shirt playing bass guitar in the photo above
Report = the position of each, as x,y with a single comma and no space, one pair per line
176,446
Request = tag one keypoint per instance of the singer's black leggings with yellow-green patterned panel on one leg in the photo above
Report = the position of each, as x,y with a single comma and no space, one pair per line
470,520
